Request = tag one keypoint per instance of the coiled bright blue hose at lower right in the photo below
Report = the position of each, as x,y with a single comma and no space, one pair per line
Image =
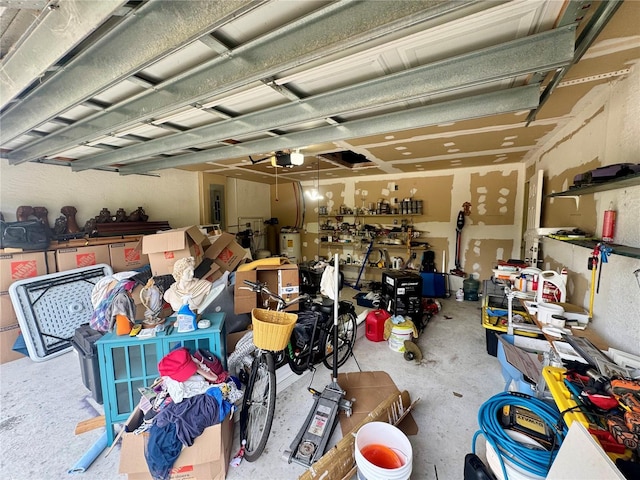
530,460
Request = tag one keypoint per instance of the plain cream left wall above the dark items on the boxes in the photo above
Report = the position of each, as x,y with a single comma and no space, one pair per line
173,196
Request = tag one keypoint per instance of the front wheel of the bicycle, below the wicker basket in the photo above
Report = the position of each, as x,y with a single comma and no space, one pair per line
258,406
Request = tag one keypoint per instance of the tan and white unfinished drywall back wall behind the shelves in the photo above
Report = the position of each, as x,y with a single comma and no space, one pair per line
488,234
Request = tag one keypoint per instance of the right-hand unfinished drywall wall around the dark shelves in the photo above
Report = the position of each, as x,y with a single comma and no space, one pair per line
605,129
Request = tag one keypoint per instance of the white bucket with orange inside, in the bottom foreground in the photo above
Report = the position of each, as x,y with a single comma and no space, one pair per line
389,439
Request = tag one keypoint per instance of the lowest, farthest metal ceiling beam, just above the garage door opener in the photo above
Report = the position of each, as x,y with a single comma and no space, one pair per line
494,103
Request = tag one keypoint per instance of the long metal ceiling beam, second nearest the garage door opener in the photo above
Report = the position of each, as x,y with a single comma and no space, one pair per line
540,52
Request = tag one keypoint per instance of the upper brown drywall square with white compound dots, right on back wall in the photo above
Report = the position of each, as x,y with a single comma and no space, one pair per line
494,198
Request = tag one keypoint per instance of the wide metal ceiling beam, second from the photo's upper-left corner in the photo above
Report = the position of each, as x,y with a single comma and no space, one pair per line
135,43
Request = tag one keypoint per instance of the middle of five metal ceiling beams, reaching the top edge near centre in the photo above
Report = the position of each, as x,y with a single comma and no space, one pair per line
332,29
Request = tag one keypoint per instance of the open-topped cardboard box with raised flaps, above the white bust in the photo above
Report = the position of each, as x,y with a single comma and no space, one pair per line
166,248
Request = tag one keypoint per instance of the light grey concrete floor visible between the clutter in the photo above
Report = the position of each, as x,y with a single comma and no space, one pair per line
42,402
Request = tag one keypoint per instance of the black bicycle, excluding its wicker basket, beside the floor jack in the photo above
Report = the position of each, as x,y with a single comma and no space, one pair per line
258,405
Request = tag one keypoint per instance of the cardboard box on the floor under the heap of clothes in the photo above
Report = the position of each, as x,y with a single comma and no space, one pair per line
207,459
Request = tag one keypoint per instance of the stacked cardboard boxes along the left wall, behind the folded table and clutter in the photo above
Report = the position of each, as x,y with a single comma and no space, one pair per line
218,254
